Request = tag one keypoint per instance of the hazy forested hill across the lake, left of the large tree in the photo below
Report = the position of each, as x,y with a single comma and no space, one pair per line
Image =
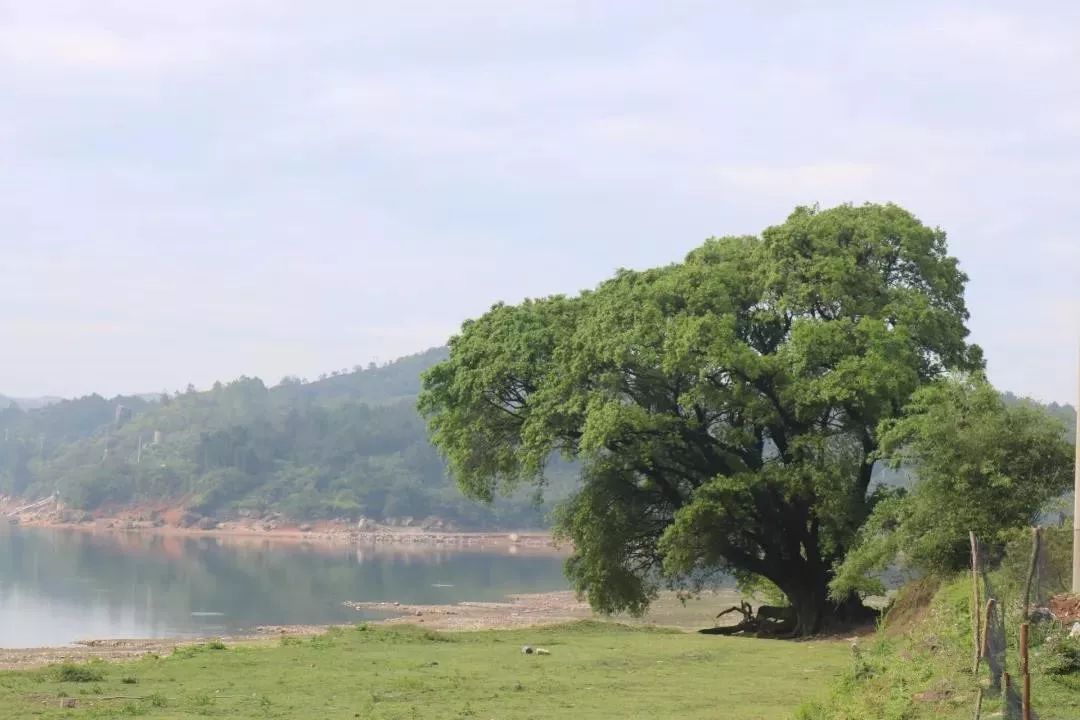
349,445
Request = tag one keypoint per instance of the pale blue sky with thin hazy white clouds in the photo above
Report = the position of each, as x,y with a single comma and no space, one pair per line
193,192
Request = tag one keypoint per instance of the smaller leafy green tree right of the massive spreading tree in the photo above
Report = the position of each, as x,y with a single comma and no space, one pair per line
982,466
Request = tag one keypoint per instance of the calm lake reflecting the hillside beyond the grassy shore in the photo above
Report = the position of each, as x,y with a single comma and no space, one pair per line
61,586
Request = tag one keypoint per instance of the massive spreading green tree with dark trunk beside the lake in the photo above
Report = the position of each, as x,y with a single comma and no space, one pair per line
725,410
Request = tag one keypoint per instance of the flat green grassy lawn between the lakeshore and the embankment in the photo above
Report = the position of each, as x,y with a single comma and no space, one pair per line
595,671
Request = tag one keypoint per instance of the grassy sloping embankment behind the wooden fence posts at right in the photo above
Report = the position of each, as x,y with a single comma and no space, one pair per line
919,667
